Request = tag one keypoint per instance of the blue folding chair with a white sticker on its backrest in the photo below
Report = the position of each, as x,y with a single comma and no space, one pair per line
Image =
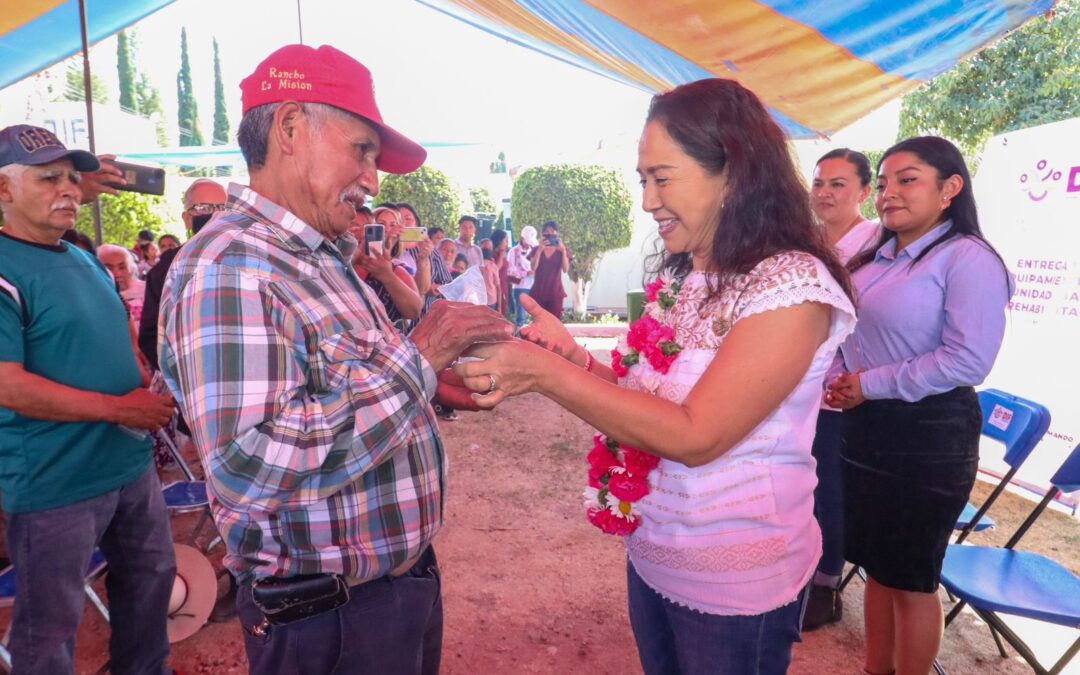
1019,425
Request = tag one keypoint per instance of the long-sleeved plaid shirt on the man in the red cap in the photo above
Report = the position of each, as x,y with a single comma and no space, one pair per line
310,413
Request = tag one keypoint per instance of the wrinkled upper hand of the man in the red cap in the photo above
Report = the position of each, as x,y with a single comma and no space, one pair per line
452,328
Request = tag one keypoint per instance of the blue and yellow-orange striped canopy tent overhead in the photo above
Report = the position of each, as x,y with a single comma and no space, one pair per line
819,65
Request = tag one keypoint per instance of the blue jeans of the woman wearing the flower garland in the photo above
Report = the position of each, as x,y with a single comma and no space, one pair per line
673,640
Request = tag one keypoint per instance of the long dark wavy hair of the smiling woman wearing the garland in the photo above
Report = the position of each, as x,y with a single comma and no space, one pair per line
724,128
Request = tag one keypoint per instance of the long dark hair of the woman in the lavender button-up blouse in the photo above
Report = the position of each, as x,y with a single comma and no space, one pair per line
948,161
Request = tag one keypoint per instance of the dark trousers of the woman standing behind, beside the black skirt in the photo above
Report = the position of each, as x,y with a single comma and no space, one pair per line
829,495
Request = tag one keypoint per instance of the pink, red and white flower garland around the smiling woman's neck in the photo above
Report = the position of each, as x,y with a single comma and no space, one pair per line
619,475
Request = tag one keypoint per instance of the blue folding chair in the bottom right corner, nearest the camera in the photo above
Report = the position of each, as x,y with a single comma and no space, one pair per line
1007,582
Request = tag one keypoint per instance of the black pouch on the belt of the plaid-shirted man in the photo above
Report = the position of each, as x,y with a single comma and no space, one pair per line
295,599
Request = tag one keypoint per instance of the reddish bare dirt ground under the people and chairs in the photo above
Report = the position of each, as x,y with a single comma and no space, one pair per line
531,587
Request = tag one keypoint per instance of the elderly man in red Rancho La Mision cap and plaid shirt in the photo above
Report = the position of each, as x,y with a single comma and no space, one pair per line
310,412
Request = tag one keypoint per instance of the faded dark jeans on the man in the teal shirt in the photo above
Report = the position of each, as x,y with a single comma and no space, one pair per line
51,551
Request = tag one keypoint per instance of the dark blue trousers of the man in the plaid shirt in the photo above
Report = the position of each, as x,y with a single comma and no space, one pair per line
390,626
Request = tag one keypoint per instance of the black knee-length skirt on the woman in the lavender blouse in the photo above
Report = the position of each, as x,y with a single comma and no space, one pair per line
909,469
